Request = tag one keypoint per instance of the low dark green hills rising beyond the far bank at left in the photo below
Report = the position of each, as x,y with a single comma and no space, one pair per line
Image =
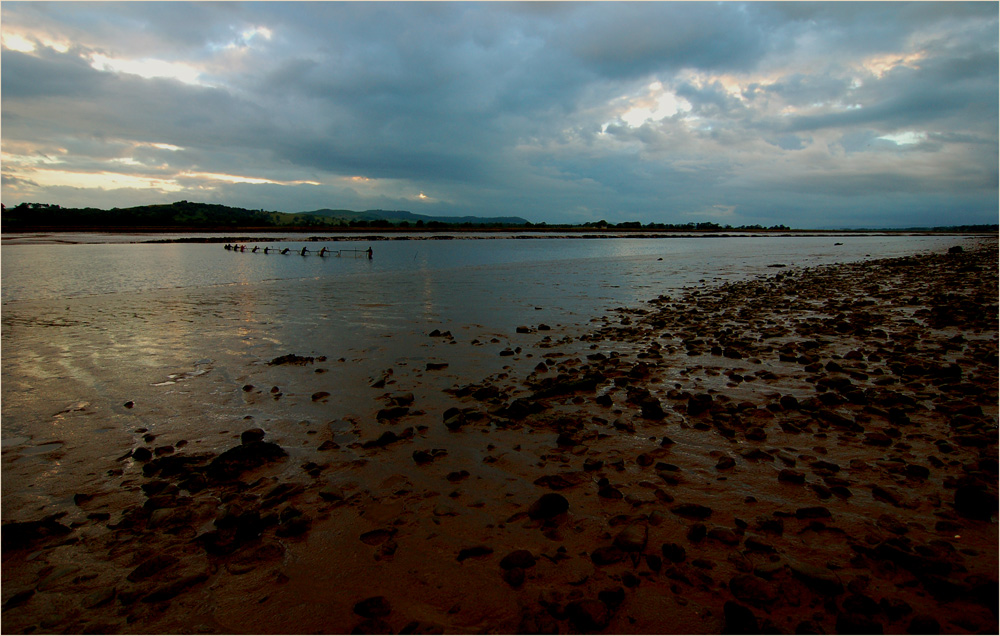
188,214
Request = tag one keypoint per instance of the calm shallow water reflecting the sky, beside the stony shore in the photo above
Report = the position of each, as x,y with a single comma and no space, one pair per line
179,328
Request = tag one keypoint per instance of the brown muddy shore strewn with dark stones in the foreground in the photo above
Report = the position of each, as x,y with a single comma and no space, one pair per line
814,452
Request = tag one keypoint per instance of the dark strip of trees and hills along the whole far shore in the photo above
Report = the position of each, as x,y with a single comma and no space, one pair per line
187,215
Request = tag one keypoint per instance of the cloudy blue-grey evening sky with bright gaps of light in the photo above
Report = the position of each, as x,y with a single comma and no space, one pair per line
811,115
